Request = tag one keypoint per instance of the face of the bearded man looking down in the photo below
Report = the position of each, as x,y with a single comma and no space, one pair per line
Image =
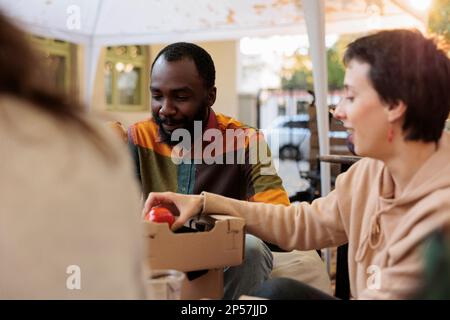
179,95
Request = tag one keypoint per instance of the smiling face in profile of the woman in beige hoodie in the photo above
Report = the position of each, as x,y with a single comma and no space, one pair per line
363,113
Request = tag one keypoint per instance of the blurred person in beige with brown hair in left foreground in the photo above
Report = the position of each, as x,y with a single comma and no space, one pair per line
66,191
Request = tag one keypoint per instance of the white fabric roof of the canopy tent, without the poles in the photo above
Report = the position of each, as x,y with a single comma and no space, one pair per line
113,22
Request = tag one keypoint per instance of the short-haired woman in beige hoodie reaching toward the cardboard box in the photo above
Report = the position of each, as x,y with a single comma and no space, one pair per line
397,98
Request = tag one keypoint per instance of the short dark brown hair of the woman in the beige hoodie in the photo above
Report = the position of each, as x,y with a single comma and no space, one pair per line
405,66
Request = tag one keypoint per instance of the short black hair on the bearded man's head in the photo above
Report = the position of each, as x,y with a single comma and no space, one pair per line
202,59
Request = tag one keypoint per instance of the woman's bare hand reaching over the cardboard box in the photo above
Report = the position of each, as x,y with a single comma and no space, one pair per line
188,206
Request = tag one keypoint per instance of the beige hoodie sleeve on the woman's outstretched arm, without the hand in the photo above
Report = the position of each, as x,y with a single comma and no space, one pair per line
304,226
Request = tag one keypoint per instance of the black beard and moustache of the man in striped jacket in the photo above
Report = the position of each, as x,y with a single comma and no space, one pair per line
186,123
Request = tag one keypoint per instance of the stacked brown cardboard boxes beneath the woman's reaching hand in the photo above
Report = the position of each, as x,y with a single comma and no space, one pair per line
209,251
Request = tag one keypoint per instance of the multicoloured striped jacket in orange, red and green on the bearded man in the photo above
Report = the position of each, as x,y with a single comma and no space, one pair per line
159,168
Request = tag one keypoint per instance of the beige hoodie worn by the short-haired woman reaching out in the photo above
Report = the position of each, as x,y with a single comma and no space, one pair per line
384,234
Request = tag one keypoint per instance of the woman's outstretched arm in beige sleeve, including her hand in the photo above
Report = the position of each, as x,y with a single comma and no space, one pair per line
301,227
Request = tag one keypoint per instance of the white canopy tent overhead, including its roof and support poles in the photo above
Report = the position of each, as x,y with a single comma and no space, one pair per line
98,23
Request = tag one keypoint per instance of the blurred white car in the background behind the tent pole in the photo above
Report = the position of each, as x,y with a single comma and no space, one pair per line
289,137
